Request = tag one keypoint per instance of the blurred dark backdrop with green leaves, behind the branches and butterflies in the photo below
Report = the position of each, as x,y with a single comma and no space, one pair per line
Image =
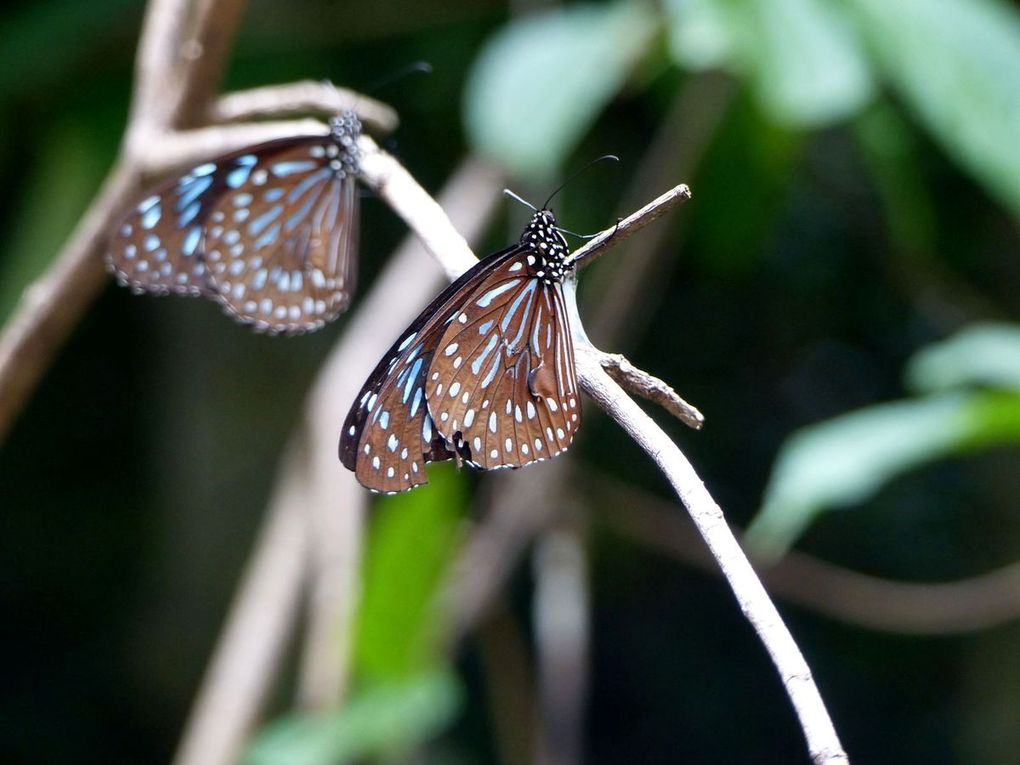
839,299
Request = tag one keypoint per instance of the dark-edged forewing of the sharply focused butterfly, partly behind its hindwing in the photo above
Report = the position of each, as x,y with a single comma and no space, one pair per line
389,435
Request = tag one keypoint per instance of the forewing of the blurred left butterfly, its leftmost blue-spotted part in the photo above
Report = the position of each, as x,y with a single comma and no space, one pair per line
157,247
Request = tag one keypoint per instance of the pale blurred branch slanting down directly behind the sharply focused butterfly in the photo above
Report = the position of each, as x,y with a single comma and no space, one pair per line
336,501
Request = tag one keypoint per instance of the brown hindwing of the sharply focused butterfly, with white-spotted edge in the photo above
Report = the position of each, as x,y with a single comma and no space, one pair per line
503,387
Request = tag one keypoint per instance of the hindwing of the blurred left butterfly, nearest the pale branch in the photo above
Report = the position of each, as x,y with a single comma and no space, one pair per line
280,242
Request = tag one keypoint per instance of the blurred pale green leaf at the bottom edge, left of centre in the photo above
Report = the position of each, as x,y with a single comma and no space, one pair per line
387,720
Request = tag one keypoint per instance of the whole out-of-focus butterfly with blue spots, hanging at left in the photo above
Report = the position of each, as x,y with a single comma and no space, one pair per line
270,233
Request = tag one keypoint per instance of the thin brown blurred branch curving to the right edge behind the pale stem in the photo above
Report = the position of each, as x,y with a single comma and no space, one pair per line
907,608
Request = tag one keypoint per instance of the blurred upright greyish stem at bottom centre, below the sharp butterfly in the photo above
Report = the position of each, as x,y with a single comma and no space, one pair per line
563,636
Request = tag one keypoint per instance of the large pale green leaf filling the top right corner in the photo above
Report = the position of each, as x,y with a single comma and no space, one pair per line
957,64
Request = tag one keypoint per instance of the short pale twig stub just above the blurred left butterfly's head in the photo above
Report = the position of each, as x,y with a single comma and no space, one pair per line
305,97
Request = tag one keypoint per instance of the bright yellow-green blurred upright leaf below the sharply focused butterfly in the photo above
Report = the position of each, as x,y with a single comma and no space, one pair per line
413,540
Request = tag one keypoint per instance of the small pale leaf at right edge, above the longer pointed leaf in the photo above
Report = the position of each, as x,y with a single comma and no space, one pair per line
987,354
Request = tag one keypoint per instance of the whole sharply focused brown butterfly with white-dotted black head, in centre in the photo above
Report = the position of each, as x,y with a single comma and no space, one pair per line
485,375
